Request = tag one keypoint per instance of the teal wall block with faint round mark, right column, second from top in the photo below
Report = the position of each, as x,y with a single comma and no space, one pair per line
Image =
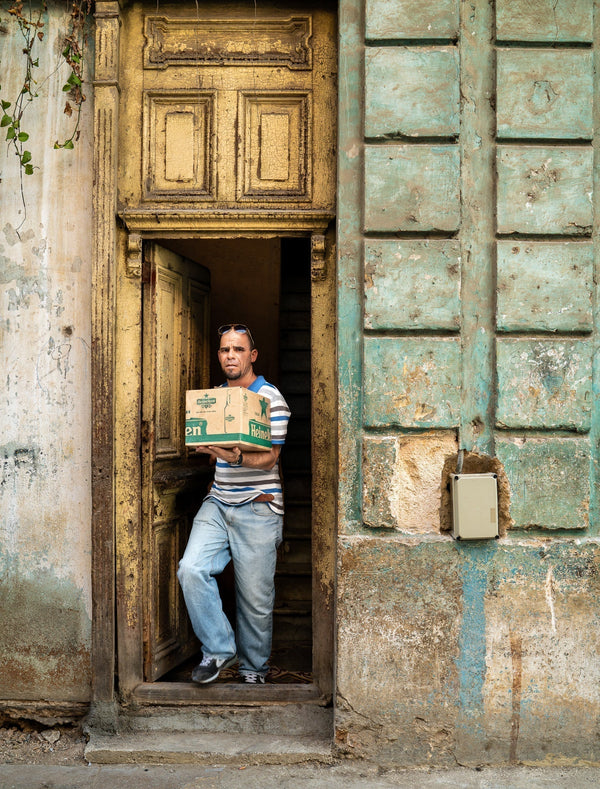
545,94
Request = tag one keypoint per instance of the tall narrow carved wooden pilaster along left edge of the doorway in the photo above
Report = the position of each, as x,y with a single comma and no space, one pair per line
106,117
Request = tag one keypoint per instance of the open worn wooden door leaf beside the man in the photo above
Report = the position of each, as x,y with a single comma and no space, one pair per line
176,312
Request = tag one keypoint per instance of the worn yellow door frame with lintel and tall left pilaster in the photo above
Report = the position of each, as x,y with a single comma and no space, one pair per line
116,360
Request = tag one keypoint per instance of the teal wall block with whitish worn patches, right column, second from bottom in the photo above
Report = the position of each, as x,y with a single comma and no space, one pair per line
544,383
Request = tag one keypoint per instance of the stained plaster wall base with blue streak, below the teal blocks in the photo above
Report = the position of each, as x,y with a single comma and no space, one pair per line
454,652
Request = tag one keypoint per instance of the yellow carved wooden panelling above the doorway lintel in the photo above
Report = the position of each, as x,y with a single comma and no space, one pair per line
237,105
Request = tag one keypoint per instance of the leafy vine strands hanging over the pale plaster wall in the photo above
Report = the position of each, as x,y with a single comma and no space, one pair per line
31,27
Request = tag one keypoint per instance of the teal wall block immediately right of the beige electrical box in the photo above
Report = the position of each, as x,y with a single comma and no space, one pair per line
549,481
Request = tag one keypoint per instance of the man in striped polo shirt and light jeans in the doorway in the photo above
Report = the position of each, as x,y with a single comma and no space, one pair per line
240,519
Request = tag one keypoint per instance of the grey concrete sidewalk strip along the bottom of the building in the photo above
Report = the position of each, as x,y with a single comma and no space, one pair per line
342,775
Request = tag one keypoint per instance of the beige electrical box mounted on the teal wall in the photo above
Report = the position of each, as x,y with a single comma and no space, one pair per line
474,506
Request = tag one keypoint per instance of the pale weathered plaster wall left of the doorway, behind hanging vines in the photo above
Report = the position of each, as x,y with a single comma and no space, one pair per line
45,504
